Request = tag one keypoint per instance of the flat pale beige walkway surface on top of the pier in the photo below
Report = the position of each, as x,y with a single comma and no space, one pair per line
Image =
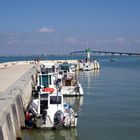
9,75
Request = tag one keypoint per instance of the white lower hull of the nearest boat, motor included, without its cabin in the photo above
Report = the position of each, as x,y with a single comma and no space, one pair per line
51,119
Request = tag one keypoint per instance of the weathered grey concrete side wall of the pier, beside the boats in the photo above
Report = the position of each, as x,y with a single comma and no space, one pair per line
13,103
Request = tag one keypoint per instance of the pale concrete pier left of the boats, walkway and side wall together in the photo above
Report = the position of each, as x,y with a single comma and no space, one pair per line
16,83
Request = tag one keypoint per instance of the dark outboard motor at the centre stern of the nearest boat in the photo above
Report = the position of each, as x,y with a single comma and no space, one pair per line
58,119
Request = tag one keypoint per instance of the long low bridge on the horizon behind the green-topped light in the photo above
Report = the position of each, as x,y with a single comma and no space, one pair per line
105,53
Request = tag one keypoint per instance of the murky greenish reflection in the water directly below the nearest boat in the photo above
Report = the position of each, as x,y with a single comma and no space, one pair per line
37,134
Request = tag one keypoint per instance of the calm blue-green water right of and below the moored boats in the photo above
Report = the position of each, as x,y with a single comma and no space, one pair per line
110,108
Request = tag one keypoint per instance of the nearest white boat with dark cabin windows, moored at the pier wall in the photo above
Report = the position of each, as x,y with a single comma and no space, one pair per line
49,111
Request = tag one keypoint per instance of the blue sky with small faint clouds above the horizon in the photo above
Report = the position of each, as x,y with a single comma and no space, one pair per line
61,26
